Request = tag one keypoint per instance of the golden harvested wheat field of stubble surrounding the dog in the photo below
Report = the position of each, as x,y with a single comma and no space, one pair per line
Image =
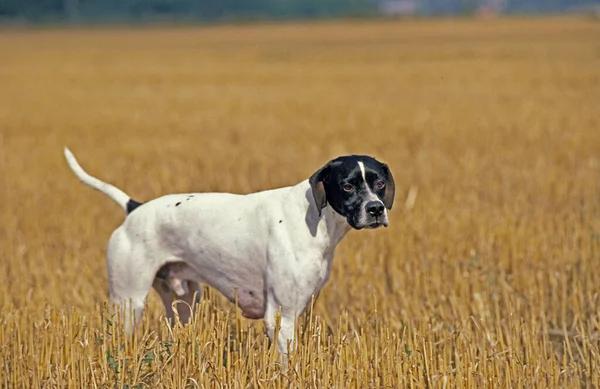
488,275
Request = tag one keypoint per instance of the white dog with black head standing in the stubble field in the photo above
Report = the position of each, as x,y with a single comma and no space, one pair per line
273,248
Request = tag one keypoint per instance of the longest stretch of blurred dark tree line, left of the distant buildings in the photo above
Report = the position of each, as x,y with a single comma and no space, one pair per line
180,9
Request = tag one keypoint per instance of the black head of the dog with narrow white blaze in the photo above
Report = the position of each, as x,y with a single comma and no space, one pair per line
358,187
